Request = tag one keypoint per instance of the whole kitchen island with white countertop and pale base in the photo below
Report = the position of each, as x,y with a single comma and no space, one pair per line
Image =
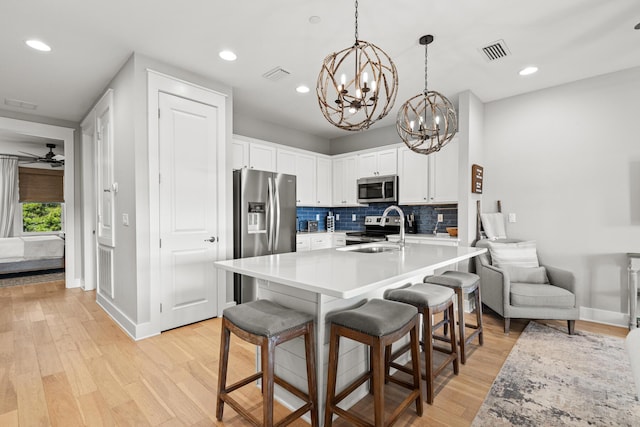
323,281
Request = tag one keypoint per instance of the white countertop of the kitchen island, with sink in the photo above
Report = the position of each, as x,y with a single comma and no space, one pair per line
343,273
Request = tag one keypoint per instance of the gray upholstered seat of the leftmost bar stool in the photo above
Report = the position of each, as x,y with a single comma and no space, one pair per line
265,318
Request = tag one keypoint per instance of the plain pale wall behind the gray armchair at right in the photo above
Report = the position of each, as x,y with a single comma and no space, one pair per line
566,160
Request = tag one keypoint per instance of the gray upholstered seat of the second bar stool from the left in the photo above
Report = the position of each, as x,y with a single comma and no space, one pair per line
376,317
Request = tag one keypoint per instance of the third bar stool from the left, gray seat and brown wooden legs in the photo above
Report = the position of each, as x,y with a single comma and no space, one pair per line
429,300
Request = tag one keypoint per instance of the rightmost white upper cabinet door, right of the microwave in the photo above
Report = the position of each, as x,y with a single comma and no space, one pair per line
443,175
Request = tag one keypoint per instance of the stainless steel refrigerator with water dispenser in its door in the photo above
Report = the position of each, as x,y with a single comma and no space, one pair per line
264,221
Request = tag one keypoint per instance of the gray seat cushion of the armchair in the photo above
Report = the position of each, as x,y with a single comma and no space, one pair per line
537,295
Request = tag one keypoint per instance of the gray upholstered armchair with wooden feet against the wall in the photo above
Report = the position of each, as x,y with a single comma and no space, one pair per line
528,298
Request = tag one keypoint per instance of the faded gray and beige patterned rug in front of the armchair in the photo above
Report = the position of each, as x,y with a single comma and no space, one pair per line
554,379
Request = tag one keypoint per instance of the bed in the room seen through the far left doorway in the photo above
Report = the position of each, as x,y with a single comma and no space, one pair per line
31,253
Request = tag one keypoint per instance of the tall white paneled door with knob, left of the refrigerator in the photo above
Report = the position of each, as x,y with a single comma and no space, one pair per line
188,143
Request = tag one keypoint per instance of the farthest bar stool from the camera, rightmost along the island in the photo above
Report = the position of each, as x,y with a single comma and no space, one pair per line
463,283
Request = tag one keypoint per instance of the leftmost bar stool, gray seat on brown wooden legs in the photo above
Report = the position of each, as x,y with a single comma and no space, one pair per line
267,325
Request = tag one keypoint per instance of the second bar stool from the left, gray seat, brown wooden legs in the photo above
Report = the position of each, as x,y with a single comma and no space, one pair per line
378,324
